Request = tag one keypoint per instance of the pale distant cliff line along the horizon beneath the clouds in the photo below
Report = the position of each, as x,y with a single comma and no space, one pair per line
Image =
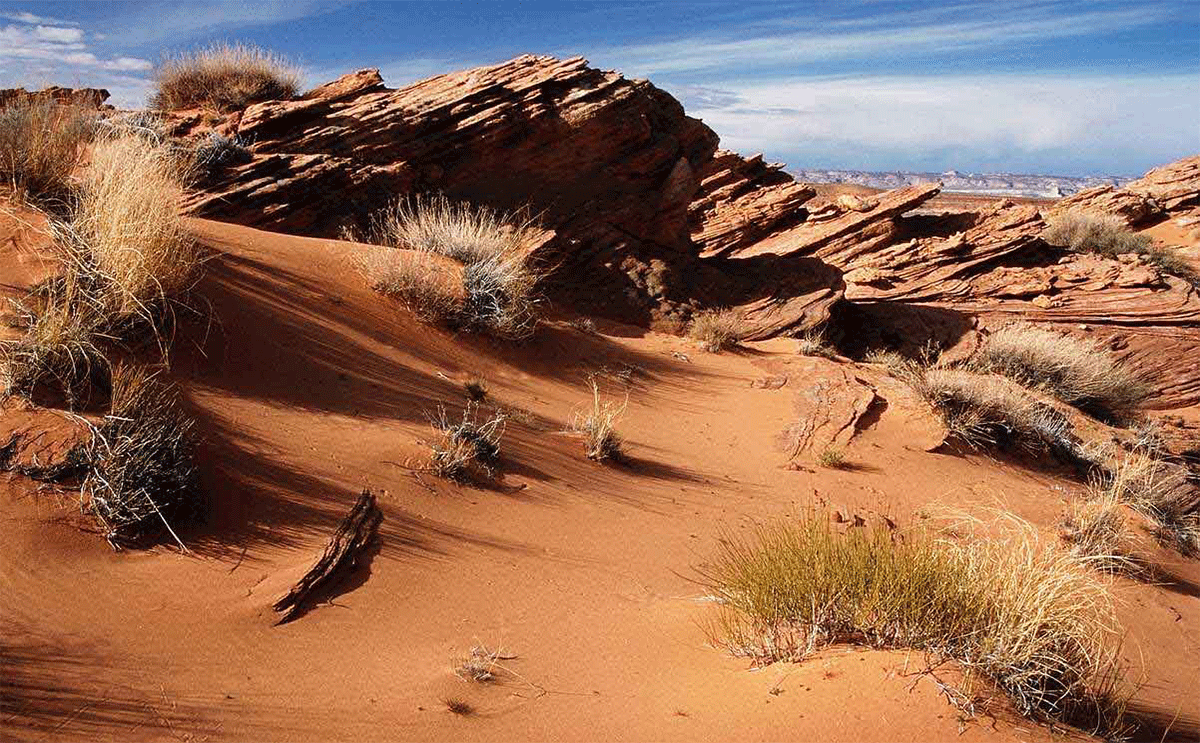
1000,184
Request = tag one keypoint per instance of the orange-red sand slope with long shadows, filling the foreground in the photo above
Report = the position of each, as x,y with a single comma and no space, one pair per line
309,387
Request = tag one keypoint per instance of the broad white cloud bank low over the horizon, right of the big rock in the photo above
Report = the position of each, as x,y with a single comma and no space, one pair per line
951,122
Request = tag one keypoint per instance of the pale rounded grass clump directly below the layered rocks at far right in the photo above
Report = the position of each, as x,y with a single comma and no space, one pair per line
1077,371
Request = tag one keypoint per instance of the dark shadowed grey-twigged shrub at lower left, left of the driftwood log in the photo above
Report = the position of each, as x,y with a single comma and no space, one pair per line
140,469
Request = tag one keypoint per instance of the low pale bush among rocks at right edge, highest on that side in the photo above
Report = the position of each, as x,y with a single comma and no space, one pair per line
1108,236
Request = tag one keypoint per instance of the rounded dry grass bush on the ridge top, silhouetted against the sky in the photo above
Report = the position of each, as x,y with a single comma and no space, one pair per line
226,77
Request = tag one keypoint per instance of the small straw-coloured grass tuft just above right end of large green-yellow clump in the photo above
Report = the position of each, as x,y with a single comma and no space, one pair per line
1099,532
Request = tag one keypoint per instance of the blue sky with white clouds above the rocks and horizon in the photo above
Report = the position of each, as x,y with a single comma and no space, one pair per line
1007,86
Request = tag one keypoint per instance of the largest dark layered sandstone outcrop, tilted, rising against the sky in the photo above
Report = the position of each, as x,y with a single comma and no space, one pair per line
611,166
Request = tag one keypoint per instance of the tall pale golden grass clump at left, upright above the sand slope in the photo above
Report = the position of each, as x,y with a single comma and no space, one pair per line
125,237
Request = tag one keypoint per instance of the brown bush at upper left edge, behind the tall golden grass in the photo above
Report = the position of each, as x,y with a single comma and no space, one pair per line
41,143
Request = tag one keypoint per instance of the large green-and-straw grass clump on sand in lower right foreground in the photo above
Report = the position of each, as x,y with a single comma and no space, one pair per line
1025,618
